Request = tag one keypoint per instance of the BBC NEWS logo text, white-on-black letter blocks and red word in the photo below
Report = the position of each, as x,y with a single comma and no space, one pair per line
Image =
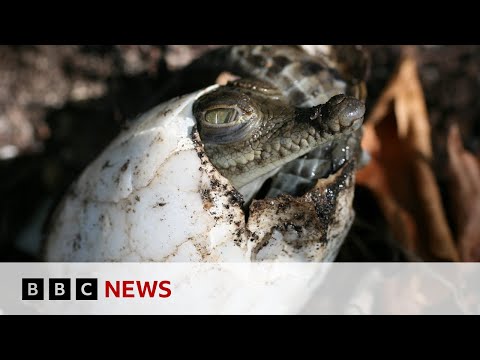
87,289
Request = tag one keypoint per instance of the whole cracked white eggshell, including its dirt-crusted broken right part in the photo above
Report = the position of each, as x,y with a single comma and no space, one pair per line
153,195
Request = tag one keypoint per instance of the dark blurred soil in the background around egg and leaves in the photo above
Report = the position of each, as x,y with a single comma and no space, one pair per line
61,105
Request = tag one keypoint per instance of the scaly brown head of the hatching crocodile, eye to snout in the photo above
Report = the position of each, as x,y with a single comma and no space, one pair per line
268,131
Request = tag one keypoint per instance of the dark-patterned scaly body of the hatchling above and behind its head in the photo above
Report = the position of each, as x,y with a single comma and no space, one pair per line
305,80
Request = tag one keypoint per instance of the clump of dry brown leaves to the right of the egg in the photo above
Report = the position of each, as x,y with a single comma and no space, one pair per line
397,135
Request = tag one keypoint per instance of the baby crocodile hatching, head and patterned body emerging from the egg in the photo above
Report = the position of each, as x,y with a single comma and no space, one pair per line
289,107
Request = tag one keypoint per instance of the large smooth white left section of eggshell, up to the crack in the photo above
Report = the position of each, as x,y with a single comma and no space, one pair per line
150,196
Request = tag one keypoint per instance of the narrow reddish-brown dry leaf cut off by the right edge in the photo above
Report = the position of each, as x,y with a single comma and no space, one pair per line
464,190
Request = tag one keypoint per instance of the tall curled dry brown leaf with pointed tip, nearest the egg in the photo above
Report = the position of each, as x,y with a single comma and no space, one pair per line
400,173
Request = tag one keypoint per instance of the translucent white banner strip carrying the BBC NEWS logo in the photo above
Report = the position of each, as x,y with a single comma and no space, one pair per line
239,288
